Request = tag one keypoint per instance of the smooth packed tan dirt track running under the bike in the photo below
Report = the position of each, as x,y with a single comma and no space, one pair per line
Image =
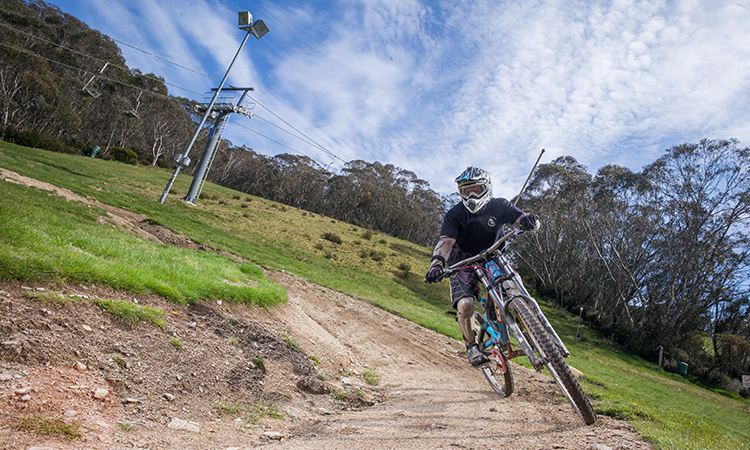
431,396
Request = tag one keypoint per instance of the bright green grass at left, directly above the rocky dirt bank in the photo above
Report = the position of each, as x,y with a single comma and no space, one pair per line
44,237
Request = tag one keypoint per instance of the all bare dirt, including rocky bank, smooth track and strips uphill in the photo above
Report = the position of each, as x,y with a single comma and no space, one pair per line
61,354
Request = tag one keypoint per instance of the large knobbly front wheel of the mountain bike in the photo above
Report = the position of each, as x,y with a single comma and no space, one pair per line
553,360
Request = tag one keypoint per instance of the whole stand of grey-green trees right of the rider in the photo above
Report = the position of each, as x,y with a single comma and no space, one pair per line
658,259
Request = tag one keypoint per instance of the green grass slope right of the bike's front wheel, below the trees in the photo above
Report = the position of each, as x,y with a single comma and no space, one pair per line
669,409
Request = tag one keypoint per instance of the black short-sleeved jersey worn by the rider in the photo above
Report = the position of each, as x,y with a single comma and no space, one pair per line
476,232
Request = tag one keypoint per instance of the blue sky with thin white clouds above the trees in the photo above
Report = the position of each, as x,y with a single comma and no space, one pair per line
436,86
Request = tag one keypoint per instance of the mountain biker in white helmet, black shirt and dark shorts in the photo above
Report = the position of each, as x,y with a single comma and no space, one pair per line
468,228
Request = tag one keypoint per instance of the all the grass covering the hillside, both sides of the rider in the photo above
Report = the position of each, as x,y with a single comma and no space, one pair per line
42,236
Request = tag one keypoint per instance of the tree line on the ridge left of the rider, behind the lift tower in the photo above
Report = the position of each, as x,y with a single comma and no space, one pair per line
54,95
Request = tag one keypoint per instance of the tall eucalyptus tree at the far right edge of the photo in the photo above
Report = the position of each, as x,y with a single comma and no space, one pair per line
701,258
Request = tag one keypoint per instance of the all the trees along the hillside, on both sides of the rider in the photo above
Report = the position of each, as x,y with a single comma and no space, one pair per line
658,259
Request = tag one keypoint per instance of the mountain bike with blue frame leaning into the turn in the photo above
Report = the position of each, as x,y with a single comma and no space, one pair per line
509,310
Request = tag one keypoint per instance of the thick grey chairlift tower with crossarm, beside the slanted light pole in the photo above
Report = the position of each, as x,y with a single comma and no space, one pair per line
221,111
